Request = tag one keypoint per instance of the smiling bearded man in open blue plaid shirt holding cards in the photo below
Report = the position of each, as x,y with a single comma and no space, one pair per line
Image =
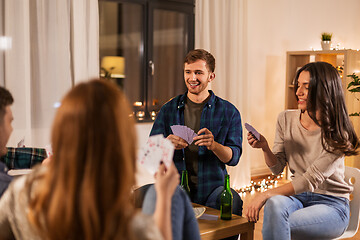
218,125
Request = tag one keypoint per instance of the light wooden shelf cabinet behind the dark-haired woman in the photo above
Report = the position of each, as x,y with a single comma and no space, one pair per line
349,60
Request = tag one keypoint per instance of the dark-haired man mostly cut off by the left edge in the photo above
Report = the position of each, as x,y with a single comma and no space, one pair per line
6,119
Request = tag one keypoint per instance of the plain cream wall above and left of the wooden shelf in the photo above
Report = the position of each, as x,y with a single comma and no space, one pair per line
276,26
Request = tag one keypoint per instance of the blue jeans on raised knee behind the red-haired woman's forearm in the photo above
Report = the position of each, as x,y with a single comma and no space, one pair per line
183,221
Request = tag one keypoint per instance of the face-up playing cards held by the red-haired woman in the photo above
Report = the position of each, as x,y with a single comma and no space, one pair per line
156,149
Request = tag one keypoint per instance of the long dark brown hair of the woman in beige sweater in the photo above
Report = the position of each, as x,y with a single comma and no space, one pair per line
326,96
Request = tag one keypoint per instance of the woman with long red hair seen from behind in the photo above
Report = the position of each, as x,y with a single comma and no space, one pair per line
84,192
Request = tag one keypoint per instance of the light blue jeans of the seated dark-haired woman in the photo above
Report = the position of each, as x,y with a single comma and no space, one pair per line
305,216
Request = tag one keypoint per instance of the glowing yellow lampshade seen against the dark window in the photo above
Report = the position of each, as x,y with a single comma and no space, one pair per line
115,65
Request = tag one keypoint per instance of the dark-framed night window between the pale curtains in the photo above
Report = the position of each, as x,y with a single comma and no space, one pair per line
143,44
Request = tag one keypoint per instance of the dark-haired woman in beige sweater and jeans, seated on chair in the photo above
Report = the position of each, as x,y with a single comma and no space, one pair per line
313,141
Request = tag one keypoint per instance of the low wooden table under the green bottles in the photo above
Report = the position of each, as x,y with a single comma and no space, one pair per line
218,229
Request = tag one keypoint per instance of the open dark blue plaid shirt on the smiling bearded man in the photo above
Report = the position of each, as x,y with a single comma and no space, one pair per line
223,120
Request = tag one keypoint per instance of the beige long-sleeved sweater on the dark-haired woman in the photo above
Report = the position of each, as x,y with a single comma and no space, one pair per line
313,168
